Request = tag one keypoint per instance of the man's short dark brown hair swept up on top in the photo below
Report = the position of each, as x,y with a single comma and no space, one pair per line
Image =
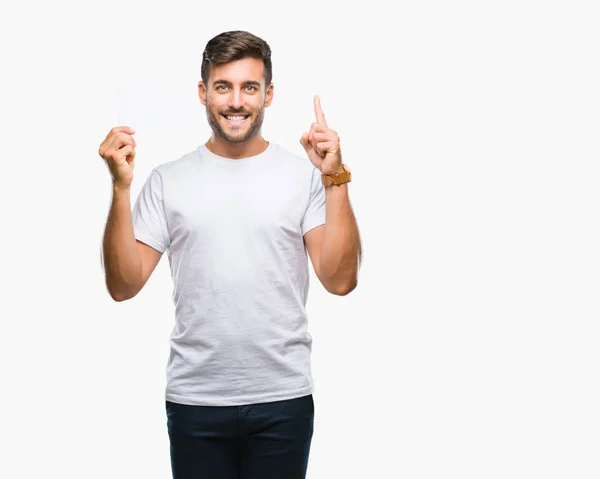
236,45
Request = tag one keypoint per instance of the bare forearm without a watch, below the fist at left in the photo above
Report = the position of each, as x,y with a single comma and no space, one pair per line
121,257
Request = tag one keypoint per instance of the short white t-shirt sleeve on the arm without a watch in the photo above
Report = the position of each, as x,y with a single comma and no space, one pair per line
148,214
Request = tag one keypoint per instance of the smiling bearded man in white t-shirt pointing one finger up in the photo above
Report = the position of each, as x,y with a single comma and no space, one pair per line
236,217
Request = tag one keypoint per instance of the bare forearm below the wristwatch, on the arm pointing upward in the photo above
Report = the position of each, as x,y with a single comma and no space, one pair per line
341,250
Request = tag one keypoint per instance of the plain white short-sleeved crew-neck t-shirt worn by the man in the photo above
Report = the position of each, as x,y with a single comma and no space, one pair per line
233,231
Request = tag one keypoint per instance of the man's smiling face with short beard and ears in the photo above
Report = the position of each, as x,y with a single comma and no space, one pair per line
235,97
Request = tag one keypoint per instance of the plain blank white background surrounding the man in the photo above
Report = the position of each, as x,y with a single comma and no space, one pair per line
470,348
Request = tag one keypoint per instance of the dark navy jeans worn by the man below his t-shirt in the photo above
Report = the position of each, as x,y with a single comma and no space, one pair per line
256,441
